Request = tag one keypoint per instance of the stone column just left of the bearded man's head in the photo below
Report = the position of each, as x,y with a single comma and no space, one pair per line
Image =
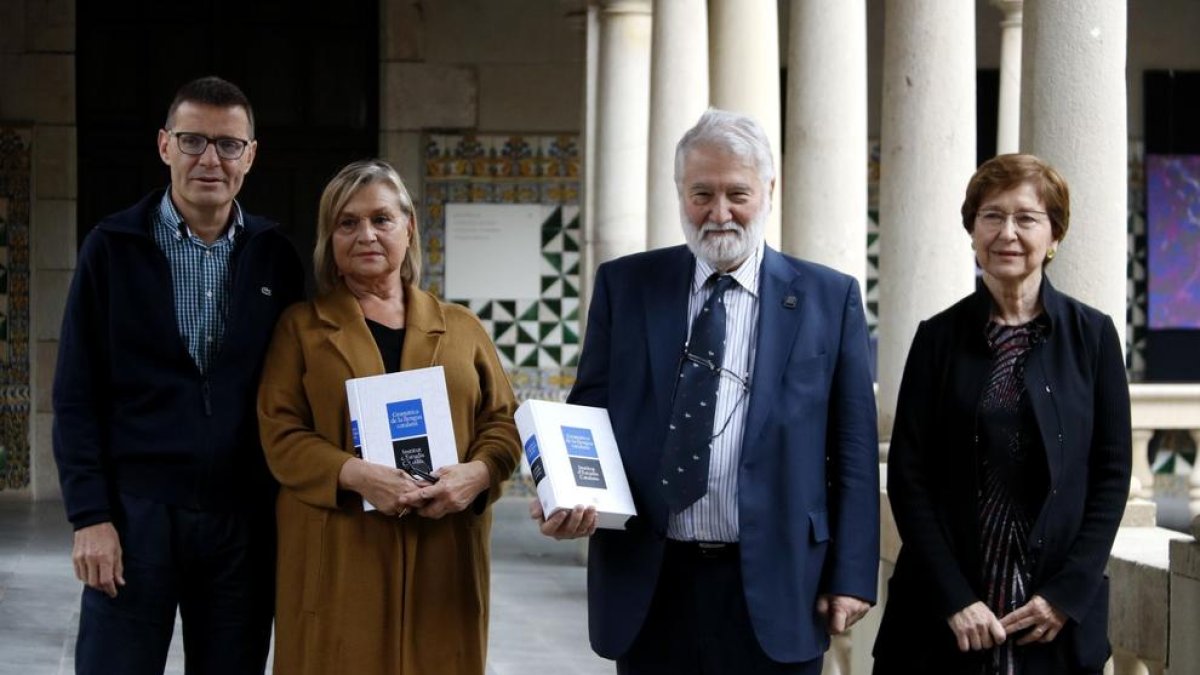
679,97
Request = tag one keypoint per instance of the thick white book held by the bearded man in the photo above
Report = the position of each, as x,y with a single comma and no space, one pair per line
572,455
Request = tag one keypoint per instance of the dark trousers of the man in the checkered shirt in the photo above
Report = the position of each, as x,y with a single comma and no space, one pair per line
217,569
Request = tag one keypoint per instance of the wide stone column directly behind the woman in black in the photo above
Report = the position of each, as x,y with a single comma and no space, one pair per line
1073,116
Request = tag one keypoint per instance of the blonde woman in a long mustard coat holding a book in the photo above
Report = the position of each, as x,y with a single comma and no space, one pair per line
403,590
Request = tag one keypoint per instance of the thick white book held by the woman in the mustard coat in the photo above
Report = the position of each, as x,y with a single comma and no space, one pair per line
403,421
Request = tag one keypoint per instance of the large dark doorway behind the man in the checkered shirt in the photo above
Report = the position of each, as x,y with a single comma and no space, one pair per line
309,68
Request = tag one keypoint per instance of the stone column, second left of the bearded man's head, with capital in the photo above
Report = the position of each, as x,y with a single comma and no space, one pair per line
623,95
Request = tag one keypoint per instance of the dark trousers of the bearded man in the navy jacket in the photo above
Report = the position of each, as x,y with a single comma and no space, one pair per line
699,623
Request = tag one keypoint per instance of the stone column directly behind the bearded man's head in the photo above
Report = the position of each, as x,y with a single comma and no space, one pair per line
745,75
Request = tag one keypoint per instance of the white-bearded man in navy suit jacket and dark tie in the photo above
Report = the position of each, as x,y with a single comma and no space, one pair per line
739,385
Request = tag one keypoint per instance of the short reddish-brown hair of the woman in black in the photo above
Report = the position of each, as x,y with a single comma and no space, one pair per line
1005,172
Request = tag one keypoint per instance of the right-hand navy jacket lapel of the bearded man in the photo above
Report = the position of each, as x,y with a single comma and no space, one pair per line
781,308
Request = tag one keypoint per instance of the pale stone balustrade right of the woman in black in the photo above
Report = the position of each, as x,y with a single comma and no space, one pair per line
1163,407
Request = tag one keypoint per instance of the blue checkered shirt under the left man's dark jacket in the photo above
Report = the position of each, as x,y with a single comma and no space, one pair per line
200,276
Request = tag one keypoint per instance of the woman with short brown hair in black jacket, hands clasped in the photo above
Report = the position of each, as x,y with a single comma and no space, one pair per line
1010,462
